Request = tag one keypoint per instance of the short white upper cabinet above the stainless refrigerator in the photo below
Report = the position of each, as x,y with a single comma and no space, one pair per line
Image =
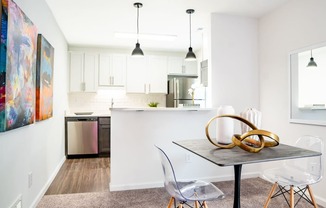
177,65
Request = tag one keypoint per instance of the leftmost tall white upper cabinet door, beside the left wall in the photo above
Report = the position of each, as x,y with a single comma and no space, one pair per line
76,72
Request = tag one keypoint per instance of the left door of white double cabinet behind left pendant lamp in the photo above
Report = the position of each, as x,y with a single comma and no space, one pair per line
136,75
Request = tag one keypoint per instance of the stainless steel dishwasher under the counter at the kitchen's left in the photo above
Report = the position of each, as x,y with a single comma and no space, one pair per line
81,136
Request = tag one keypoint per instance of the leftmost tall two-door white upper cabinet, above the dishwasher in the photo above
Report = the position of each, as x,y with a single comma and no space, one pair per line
83,72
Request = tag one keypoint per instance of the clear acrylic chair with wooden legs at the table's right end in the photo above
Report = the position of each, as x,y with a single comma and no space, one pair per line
294,177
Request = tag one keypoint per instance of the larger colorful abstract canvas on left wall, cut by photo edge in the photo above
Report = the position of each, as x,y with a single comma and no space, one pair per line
18,65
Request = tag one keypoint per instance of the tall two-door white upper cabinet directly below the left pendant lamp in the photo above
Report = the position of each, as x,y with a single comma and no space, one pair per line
147,74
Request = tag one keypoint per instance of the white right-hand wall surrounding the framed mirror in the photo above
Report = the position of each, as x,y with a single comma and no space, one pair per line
296,25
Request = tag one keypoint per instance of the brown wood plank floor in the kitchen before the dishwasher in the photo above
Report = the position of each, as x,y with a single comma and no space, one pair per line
81,175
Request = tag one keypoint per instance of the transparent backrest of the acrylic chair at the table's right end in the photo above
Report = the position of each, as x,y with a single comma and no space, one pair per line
310,165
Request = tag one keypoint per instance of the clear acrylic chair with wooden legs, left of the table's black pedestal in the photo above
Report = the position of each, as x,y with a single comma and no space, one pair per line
185,192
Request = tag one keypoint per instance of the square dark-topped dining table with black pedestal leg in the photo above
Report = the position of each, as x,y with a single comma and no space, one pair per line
237,157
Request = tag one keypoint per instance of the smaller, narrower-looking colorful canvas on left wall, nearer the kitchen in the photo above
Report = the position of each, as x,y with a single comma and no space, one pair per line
44,79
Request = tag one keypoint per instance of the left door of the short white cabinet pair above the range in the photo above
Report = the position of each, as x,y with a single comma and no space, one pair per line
105,78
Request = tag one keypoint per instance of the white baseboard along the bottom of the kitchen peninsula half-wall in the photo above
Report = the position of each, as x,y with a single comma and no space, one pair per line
134,186
